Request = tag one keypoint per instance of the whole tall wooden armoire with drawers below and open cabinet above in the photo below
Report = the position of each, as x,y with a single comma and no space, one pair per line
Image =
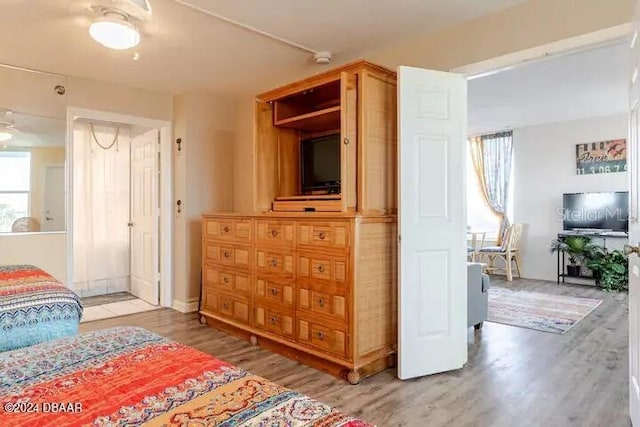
311,274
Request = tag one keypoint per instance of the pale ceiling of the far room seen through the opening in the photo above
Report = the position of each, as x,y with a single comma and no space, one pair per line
591,83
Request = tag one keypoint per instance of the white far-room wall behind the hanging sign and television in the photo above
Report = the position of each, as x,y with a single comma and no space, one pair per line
544,169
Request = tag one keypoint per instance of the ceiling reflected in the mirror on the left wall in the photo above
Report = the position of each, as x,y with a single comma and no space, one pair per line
34,131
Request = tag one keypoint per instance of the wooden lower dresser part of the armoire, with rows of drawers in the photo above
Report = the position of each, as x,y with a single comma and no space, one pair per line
317,288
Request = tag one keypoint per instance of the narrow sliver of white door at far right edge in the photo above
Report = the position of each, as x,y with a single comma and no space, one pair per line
633,153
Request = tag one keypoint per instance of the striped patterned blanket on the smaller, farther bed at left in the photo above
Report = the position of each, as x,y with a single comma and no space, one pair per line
34,307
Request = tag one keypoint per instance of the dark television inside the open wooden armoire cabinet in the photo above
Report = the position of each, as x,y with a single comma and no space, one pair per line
320,164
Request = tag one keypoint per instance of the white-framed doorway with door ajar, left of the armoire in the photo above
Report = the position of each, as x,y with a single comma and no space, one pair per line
119,205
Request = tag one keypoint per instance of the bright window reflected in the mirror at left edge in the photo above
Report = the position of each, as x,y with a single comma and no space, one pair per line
15,174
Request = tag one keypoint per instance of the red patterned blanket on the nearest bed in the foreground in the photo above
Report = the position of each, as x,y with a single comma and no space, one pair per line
128,376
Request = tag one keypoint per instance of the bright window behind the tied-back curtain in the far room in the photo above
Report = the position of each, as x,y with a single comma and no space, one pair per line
479,216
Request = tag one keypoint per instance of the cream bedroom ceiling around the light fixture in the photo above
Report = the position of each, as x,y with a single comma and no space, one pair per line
189,50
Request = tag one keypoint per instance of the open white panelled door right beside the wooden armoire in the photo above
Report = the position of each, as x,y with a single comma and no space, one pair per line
432,117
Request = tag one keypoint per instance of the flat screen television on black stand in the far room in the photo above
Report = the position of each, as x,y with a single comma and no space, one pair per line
596,211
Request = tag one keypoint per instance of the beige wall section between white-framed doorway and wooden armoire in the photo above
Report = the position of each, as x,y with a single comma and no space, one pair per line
203,179
